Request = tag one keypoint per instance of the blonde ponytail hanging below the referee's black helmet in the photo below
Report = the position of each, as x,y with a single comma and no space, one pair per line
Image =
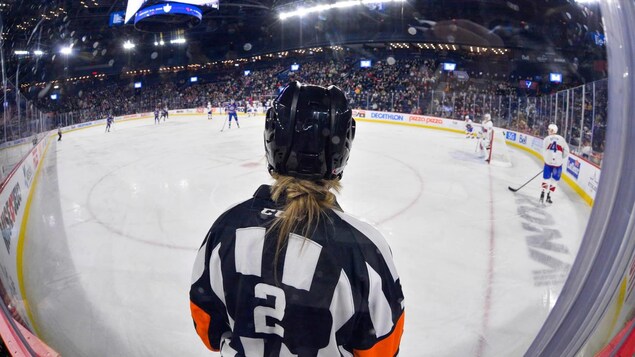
305,203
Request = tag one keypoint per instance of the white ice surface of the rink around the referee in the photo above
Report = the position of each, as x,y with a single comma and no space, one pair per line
117,219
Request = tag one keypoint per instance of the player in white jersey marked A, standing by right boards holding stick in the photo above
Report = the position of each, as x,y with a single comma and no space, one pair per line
555,151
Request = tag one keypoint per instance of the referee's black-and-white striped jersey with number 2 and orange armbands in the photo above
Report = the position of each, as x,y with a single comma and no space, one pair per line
335,293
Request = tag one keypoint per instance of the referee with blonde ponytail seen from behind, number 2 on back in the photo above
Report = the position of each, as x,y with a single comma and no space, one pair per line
287,272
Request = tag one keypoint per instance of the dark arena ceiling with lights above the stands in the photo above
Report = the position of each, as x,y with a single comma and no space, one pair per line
244,28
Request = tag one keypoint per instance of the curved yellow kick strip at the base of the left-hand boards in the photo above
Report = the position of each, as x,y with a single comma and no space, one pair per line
22,239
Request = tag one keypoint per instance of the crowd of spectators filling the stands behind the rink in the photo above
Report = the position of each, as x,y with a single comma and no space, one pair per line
408,85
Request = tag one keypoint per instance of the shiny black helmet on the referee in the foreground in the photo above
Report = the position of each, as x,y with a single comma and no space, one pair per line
309,132
